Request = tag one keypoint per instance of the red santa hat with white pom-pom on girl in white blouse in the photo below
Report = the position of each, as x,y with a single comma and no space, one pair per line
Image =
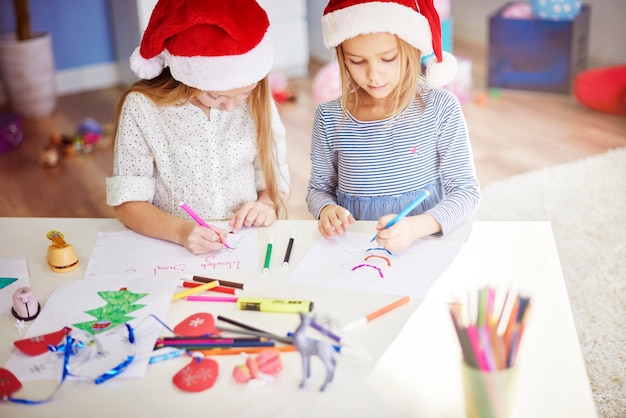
212,45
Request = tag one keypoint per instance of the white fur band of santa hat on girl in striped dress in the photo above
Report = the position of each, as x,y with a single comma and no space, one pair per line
376,17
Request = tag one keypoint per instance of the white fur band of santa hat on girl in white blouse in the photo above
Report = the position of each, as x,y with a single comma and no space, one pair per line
225,72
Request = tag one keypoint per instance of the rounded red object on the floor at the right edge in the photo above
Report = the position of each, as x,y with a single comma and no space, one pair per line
602,89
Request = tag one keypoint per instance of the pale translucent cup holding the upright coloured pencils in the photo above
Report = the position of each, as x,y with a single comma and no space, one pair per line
489,394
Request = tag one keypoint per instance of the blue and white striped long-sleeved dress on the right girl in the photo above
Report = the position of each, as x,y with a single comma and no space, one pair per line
375,168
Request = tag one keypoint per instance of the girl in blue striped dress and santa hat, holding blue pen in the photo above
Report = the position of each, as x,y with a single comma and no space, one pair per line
393,133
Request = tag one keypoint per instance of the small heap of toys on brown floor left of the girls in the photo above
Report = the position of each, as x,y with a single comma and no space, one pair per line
89,134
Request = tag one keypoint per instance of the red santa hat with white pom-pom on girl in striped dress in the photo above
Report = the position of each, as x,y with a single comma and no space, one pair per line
414,21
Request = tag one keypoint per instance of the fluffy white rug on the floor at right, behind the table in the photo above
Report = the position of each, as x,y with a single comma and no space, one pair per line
586,204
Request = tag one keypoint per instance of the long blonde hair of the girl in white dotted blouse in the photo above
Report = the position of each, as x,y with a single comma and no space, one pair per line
164,90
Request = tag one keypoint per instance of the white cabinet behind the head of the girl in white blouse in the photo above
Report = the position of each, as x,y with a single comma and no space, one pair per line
287,17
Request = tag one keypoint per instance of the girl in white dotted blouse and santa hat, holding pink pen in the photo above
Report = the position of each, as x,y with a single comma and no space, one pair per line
200,126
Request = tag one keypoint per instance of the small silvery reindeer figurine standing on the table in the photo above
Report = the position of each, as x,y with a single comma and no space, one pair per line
308,347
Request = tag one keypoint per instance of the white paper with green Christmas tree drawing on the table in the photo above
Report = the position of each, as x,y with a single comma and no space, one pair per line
78,302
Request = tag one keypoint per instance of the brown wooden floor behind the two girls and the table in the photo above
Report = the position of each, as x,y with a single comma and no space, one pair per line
512,132
